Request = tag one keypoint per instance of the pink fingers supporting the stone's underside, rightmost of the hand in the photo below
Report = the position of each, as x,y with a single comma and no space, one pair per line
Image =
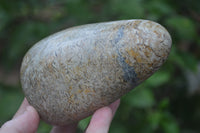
102,118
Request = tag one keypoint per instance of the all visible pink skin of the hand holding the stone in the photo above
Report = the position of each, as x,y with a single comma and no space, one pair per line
26,120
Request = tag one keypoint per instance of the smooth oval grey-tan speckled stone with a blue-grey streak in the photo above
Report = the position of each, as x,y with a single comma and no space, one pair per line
70,74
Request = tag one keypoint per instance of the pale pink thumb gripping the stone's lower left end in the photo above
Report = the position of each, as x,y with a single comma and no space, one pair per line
27,122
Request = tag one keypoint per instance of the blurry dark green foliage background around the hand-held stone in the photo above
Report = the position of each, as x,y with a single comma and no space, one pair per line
168,102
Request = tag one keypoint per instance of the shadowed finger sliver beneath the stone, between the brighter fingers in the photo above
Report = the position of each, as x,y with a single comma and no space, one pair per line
64,129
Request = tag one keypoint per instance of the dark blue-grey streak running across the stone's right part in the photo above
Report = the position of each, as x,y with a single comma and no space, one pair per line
129,72
